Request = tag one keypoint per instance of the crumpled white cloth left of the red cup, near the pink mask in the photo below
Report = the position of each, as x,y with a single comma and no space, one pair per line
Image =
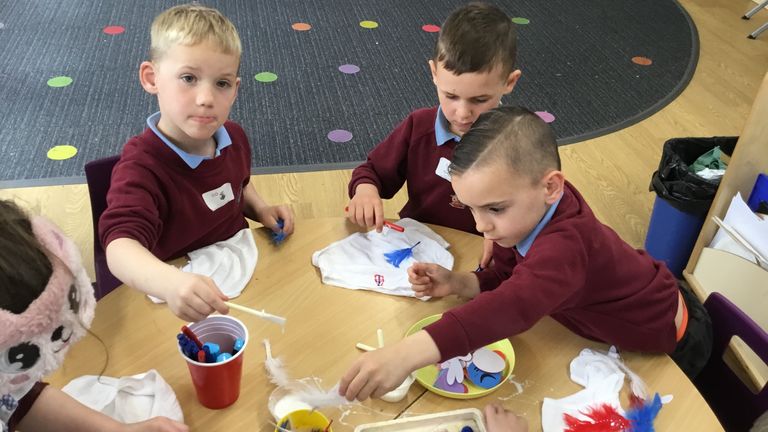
127,399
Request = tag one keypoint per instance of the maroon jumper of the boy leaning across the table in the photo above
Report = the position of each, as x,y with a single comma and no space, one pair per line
582,274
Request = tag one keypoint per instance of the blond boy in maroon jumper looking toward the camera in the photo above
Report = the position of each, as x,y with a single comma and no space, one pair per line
185,182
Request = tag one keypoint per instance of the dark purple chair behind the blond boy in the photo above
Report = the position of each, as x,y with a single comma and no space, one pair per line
98,174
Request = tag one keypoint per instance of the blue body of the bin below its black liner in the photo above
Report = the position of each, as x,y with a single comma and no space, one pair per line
672,233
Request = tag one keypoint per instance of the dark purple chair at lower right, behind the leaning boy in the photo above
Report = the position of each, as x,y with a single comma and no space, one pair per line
735,405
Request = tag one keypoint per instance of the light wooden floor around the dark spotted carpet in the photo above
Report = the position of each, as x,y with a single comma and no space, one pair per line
612,172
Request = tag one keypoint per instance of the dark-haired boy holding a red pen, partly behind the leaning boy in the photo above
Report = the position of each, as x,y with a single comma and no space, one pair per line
472,68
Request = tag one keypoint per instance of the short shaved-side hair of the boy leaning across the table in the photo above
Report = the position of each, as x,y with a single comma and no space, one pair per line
514,135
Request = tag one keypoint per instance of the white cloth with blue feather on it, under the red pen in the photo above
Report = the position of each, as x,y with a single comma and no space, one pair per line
358,262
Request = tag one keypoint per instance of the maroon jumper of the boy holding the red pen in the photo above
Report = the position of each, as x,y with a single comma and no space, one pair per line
411,153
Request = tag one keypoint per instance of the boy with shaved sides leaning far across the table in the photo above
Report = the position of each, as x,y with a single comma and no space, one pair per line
551,257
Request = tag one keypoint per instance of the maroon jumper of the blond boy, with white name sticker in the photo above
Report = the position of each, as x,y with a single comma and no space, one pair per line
156,199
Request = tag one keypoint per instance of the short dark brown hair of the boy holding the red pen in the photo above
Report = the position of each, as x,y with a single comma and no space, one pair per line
477,38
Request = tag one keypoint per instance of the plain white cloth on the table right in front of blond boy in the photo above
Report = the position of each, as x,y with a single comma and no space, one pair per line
230,263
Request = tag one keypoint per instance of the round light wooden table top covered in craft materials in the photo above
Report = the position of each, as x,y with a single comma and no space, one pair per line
323,325
